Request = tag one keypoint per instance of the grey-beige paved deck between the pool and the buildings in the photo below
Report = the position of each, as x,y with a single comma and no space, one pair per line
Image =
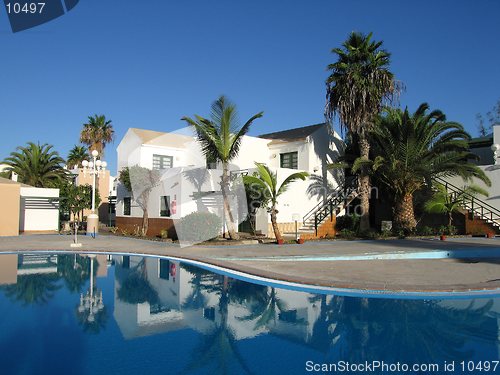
420,265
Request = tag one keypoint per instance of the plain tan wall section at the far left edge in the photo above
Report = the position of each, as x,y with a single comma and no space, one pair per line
10,205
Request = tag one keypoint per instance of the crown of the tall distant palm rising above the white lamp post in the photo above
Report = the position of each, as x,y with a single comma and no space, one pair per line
97,133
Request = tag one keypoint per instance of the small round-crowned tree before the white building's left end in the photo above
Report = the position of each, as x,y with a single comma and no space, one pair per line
140,181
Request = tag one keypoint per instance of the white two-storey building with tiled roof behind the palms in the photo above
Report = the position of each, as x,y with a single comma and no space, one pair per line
187,182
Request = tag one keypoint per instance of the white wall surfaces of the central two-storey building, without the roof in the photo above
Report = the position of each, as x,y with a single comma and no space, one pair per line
314,153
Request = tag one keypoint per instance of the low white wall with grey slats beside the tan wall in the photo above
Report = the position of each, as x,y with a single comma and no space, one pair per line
37,213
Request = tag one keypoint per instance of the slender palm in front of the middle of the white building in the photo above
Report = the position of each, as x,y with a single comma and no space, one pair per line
220,138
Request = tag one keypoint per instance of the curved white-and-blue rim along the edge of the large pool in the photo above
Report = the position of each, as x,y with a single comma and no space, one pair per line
267,278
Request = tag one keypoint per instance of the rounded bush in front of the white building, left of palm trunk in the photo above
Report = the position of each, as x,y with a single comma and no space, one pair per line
198,227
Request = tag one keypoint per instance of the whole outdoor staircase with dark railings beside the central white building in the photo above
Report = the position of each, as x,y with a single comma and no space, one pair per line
333,205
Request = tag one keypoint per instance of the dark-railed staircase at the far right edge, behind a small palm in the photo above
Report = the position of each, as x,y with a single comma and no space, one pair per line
476,207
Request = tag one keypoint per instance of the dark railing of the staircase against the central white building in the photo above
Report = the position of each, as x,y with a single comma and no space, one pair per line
329,206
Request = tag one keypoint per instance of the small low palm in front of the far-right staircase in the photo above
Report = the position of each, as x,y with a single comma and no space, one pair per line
442,202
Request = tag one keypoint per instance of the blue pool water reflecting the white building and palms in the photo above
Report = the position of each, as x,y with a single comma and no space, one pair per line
151,315
